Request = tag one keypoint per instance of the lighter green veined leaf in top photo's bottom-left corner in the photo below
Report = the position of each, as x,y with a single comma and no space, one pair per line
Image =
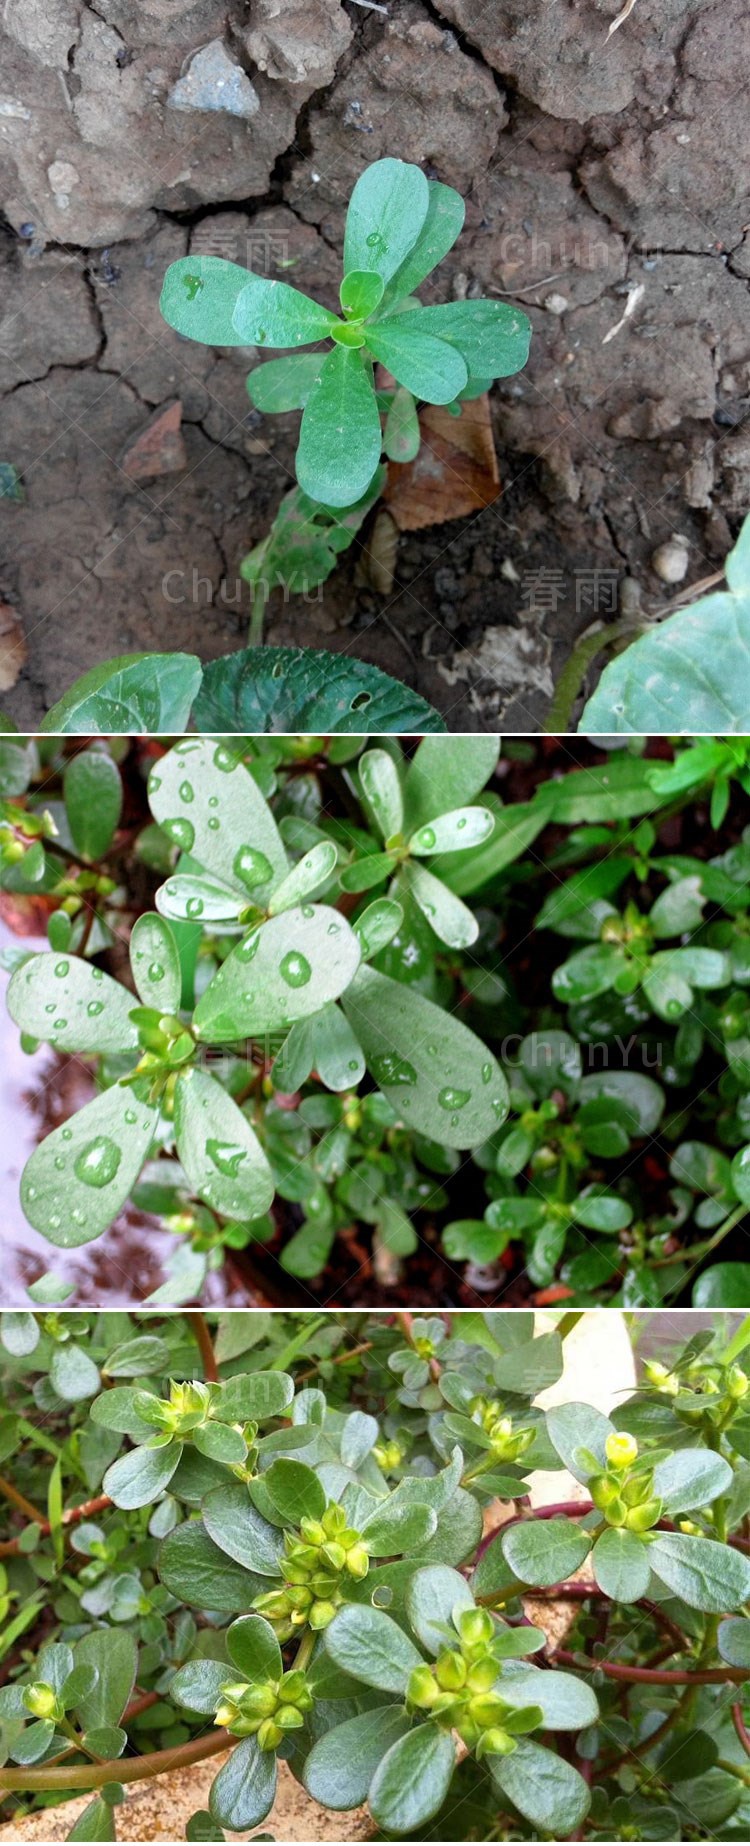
136,695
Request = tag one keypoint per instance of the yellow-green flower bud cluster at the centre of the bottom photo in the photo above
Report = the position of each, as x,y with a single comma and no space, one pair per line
321,1559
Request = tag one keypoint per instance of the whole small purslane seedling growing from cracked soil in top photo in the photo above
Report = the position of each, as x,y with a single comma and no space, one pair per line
400,226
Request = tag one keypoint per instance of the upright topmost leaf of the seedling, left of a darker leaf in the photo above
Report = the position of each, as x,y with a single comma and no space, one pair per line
385,219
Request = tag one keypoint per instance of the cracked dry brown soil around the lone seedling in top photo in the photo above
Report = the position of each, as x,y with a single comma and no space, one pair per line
590,165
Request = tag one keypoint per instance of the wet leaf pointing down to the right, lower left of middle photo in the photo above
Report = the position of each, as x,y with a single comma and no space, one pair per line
221,1153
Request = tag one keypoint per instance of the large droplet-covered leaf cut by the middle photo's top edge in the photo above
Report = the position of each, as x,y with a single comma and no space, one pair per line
212,808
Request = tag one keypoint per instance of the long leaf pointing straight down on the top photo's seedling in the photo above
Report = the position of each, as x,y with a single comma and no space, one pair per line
341,431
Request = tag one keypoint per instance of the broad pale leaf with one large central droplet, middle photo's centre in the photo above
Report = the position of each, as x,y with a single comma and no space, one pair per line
282,972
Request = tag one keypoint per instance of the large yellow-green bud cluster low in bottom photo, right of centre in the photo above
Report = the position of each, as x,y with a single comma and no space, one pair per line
457,1692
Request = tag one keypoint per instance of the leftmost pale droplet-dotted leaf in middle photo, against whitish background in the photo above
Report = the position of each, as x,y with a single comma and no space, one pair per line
73,1005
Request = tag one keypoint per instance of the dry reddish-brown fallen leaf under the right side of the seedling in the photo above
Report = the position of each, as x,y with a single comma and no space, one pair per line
455,472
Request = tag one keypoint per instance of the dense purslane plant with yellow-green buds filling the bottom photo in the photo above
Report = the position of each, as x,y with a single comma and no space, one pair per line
223,1540
